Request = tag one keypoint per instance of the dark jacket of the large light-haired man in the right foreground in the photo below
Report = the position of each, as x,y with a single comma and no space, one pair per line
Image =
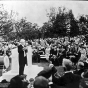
67,79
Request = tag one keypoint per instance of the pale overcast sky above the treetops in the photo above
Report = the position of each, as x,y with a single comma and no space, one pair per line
35,10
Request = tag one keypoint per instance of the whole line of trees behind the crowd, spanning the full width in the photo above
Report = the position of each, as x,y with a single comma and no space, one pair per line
61,23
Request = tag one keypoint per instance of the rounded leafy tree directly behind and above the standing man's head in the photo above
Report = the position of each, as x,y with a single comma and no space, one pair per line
27,30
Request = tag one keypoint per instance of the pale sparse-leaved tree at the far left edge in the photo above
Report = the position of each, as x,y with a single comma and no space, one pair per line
6,23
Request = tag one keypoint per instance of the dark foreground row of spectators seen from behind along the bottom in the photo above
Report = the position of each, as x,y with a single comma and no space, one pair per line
52,77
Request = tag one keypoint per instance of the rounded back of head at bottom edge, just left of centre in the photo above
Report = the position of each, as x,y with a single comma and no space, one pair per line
41,82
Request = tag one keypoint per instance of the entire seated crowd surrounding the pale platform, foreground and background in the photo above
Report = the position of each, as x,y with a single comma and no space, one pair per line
67,58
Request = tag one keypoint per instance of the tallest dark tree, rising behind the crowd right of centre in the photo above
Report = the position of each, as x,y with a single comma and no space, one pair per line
63,21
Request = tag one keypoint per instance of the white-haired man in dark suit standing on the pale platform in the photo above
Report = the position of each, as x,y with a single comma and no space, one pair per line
22,50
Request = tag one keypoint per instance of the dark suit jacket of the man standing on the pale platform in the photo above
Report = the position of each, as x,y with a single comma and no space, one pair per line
22,58
